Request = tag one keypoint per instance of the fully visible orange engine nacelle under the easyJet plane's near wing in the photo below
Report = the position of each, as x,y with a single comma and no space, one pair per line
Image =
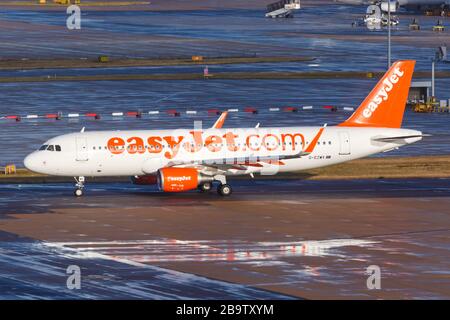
178,179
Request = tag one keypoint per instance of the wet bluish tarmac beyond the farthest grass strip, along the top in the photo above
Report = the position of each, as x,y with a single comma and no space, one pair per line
210,33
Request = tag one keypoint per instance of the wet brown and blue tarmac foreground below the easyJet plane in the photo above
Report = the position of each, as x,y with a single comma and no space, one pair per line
270,239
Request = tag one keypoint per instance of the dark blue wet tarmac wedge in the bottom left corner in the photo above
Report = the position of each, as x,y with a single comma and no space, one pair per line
38,270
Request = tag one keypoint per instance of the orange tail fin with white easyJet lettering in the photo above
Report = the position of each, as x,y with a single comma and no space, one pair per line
385,105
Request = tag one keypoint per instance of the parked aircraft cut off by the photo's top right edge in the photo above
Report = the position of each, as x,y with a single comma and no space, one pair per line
396,4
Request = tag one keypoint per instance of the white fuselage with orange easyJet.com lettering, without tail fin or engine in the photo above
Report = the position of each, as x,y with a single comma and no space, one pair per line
143,152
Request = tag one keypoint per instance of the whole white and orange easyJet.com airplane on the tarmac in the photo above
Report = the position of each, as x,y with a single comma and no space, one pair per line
187,159
